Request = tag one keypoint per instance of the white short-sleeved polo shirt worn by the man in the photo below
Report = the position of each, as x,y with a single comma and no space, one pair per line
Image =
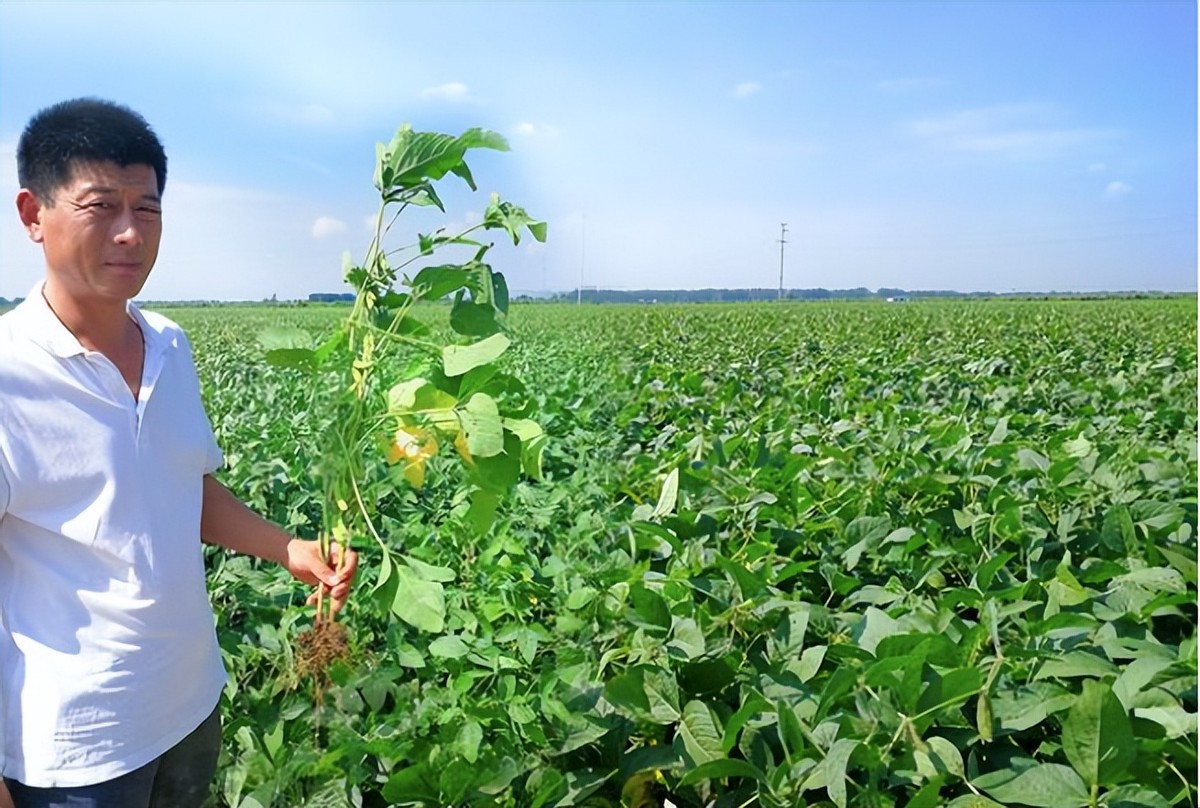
109,655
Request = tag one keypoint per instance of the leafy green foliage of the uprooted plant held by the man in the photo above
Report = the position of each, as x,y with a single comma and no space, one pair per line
403,411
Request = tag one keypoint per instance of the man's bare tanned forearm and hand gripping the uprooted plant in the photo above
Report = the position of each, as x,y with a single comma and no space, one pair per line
226,522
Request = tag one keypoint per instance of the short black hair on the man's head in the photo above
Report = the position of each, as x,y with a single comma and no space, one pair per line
85,130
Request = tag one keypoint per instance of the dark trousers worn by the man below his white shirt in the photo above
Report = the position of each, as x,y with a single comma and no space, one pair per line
179,779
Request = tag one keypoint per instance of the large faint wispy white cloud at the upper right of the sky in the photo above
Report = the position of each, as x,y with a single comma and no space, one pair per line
1025,130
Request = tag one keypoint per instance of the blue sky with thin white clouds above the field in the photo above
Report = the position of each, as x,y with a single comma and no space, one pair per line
967,146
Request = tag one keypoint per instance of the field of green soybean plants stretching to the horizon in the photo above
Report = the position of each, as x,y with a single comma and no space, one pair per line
934,554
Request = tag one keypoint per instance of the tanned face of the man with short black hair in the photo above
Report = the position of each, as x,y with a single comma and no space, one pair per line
100,231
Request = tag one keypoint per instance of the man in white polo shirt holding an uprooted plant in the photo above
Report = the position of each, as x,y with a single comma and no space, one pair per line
110,667
